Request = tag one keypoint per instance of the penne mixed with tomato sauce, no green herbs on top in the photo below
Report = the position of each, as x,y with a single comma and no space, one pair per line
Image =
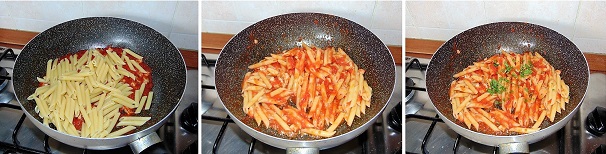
304,90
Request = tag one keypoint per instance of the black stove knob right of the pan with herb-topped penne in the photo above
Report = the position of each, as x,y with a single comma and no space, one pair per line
596,121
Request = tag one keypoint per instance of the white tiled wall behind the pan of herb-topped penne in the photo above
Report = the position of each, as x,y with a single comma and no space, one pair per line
582,22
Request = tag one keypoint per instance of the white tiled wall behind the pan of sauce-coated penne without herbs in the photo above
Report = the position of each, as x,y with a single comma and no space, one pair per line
384,19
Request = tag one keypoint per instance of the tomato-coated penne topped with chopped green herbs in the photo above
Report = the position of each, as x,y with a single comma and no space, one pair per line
512,94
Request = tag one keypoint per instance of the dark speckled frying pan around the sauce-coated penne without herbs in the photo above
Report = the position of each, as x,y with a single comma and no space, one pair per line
282,32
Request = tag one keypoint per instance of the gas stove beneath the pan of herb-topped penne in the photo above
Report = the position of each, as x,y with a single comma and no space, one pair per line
426,133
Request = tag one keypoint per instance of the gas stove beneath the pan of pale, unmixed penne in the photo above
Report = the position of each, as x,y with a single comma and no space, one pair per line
19,135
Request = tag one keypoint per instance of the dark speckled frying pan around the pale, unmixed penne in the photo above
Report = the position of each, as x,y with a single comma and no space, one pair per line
165,61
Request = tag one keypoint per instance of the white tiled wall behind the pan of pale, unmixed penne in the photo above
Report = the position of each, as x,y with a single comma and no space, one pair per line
178,21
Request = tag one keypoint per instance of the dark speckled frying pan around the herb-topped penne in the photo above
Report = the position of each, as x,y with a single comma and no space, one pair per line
484,41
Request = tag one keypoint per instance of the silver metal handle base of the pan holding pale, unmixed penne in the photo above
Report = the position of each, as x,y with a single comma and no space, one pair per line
149,143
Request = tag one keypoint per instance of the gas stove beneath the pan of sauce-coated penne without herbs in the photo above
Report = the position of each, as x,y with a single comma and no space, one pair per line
221,135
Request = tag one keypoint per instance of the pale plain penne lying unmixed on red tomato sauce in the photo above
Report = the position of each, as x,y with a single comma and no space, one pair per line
83,94
